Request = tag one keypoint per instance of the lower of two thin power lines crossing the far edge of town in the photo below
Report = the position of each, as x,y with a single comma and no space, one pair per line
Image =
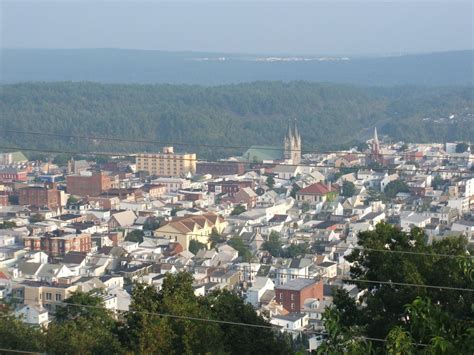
357,167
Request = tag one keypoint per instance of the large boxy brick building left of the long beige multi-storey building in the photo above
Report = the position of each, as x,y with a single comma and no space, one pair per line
88,185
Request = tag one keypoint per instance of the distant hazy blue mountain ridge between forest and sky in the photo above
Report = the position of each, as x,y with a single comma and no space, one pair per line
155,67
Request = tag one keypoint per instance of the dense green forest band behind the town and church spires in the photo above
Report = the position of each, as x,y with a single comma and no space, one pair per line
329,115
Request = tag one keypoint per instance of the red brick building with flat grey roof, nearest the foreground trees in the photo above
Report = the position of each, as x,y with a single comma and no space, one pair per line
292,294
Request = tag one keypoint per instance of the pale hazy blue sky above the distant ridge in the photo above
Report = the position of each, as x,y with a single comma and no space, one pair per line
319,27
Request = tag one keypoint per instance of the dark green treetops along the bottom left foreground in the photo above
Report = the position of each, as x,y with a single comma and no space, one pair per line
158,323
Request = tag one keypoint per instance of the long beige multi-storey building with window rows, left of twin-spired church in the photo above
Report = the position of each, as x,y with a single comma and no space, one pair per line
167,163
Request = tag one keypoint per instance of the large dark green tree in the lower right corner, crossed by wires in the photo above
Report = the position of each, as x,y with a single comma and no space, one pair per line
441,318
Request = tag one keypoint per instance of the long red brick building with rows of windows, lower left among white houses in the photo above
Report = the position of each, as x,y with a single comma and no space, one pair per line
58,244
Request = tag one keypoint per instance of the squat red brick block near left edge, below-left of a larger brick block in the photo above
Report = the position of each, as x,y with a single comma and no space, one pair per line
40,196
